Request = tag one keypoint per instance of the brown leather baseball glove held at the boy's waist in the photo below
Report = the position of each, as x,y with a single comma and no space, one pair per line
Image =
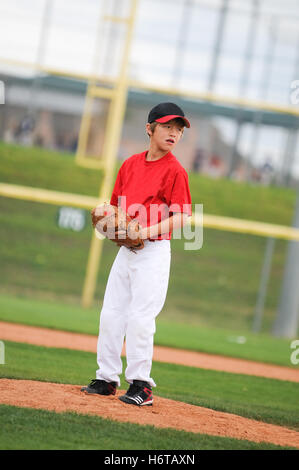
112,222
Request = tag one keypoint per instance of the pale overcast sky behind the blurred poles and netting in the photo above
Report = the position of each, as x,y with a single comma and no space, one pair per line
173,46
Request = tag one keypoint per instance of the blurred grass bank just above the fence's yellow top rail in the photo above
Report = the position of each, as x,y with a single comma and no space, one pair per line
48,169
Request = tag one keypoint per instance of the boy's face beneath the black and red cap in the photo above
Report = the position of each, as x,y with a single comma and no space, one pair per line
167,135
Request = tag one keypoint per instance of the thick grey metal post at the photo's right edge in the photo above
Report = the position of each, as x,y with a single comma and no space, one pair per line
287,319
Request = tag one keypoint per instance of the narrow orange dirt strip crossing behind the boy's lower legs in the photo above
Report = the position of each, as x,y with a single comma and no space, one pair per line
76,341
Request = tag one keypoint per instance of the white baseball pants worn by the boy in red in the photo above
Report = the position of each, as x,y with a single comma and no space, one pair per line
135,294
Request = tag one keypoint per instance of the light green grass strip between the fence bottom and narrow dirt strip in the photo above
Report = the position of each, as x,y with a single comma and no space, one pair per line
258,347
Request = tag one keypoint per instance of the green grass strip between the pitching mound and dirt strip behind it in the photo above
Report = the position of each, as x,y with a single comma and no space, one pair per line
268,400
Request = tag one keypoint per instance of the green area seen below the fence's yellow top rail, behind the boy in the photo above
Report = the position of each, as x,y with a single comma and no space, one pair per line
216,286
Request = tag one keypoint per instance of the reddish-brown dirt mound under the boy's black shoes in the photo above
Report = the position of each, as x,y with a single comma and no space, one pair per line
164,413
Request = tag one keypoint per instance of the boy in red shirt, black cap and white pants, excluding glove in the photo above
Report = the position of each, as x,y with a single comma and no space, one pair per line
153,188
